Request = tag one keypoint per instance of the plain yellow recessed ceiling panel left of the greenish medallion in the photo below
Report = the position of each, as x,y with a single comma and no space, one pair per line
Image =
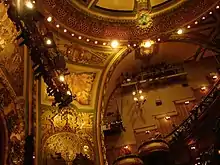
120,5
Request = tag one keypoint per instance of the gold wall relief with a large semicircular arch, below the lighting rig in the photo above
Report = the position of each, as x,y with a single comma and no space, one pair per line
67,132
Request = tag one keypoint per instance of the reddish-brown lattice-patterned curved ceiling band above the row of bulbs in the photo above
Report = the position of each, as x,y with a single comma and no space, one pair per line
76,21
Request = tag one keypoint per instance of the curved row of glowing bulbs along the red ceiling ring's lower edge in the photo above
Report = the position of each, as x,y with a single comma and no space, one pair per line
146,44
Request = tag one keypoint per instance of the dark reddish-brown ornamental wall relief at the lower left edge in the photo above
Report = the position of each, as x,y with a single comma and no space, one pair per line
12,112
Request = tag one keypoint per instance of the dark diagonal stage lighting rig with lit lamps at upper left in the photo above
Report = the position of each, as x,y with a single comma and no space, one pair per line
48,62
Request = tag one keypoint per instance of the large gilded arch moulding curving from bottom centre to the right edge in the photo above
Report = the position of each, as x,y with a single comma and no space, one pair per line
107,76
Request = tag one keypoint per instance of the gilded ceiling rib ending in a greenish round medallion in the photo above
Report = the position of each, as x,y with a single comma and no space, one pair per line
144,19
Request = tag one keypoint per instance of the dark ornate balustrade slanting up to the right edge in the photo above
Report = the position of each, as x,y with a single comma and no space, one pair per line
185,129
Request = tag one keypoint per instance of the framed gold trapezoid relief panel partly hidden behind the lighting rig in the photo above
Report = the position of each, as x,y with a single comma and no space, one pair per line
83,82
